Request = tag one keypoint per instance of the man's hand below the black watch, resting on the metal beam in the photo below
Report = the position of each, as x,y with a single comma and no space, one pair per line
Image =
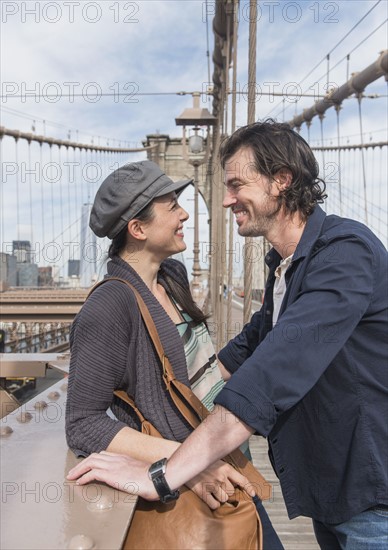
119,471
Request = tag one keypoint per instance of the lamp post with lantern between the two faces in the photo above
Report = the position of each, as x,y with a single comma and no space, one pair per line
195,117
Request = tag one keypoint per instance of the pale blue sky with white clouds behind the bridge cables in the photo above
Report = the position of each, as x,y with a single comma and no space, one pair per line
63,64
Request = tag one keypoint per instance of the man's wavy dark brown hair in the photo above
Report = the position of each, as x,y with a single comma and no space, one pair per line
276,146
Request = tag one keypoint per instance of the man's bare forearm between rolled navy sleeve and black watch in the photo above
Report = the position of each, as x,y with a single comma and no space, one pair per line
218,435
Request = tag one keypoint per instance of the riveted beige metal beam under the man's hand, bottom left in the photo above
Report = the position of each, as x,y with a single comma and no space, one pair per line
40,508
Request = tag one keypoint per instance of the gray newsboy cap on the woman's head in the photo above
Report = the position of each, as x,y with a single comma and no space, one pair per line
125,192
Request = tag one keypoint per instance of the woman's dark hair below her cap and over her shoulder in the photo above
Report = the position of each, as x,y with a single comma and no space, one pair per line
180,294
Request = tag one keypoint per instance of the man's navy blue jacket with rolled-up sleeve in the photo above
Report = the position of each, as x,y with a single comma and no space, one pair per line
316,384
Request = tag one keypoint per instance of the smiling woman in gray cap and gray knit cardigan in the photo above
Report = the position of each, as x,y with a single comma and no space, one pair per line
137,207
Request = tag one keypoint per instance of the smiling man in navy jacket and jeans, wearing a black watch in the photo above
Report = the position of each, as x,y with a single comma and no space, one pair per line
309,372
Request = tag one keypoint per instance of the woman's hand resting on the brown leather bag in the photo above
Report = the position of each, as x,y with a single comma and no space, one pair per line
215,484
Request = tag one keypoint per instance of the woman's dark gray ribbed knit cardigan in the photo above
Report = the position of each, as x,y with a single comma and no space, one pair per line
111,350
